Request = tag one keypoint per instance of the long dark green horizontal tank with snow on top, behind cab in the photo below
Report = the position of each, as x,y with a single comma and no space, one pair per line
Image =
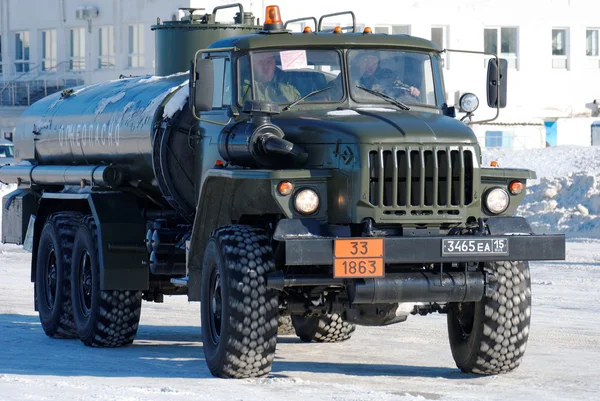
107,123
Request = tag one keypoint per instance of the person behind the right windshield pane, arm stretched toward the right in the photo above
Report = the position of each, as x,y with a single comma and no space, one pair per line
373,77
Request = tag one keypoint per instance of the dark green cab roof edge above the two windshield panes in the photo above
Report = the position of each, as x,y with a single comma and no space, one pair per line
278,40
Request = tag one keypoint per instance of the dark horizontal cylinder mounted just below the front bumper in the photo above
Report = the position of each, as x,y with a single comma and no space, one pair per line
419,287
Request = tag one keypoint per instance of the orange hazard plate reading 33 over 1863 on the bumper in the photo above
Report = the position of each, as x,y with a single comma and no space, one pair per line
358,258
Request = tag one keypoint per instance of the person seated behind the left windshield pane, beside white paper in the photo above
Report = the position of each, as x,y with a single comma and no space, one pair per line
266,84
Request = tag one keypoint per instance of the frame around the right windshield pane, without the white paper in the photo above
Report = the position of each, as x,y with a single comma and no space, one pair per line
435,76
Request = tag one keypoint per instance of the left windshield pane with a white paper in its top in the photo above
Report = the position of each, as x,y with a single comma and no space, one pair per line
286,76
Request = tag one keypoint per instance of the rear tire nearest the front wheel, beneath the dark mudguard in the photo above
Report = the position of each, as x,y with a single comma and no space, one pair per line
102,318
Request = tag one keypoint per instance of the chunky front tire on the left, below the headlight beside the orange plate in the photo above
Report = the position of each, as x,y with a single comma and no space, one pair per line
238,312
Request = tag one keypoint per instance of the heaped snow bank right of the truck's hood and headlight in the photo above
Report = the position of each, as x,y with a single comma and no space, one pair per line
565,198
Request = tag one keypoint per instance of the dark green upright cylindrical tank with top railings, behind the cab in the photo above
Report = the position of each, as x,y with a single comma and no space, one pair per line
178,41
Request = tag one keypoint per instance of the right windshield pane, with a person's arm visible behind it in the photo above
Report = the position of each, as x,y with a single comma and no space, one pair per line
405,76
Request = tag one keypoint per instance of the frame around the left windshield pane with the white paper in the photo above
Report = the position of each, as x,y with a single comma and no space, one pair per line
251,53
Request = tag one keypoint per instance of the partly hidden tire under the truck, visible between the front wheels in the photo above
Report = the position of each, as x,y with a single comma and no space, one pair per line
329,328
